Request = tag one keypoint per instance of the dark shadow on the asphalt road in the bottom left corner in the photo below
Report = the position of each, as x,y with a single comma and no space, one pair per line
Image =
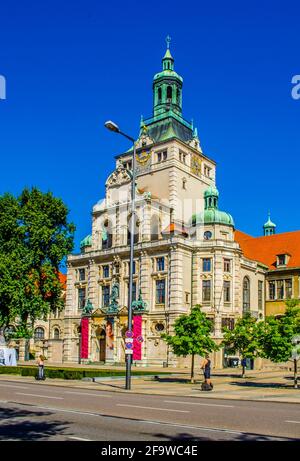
13,427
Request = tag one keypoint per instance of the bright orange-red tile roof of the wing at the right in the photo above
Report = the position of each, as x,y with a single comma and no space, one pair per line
264,249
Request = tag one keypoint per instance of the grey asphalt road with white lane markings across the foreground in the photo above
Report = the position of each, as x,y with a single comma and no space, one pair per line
38,411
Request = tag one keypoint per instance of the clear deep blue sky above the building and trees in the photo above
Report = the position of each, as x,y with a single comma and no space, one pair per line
70,66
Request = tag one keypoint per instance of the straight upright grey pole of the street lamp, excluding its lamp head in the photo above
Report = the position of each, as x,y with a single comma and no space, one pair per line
132,231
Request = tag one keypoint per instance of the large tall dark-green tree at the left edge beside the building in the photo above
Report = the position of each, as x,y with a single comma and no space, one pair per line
35,237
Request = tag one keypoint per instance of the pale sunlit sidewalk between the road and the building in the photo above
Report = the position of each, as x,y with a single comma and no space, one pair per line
259,385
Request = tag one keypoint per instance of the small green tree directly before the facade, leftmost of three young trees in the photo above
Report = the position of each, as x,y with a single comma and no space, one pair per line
192,336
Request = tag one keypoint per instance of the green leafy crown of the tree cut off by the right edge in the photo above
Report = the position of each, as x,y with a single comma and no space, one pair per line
275,333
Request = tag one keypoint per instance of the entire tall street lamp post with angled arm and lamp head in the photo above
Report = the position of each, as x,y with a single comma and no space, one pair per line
113,127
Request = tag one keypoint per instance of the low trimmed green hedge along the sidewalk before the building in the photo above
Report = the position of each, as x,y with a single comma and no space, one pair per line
69,373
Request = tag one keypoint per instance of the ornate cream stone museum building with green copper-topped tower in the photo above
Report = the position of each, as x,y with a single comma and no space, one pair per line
184,253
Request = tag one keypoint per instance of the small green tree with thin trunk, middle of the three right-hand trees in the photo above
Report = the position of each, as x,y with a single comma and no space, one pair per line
242,339
